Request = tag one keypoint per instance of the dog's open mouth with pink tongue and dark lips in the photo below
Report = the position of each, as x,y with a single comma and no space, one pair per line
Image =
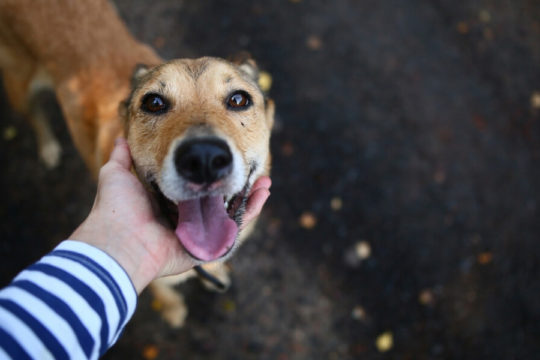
207,226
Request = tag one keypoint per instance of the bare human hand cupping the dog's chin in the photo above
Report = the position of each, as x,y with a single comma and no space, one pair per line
124,224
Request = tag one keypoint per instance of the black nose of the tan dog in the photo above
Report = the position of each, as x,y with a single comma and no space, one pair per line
203,161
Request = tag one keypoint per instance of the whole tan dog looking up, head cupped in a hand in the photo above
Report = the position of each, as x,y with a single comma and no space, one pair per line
198,129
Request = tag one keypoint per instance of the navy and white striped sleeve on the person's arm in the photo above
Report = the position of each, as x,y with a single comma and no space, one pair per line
72,304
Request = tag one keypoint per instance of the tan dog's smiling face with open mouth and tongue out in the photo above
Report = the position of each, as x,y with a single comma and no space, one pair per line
199,135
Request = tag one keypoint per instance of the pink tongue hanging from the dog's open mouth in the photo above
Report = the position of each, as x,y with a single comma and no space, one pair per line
204,228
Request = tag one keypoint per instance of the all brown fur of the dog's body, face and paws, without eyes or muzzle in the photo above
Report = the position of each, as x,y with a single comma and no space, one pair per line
84,52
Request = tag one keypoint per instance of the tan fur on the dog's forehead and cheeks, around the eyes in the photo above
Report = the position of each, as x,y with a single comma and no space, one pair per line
197,89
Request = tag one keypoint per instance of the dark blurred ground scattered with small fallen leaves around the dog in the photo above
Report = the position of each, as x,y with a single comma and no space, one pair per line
404,216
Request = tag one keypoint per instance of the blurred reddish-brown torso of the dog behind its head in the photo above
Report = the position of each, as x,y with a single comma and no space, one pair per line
84,52
